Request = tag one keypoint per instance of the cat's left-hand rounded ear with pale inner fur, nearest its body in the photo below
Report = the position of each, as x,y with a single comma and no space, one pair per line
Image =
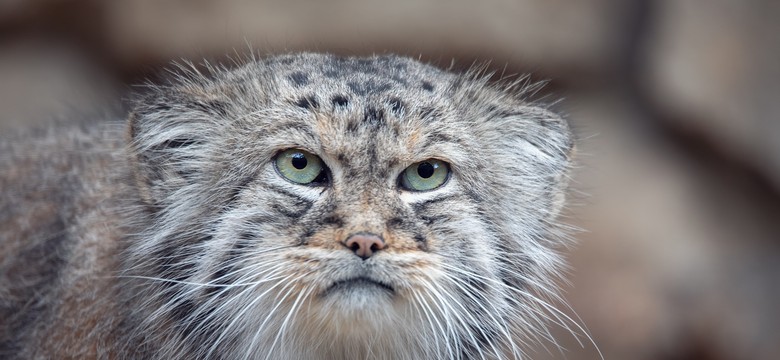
169,135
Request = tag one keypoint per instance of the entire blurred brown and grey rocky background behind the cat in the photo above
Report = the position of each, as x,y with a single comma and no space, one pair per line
677,103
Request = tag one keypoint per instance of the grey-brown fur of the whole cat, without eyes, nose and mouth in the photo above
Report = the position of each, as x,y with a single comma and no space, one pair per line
181,240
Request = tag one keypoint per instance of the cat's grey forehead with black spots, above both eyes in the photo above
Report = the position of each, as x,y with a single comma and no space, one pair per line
349,104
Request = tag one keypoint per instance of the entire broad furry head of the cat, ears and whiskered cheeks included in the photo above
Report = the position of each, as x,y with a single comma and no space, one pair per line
315,206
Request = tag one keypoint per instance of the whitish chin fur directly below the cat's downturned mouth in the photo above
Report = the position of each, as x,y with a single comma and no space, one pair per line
361,323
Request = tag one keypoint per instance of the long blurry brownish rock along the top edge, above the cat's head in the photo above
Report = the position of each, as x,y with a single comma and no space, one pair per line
552,36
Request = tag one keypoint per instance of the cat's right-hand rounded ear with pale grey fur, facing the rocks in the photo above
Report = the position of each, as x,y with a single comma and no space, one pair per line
529,151
